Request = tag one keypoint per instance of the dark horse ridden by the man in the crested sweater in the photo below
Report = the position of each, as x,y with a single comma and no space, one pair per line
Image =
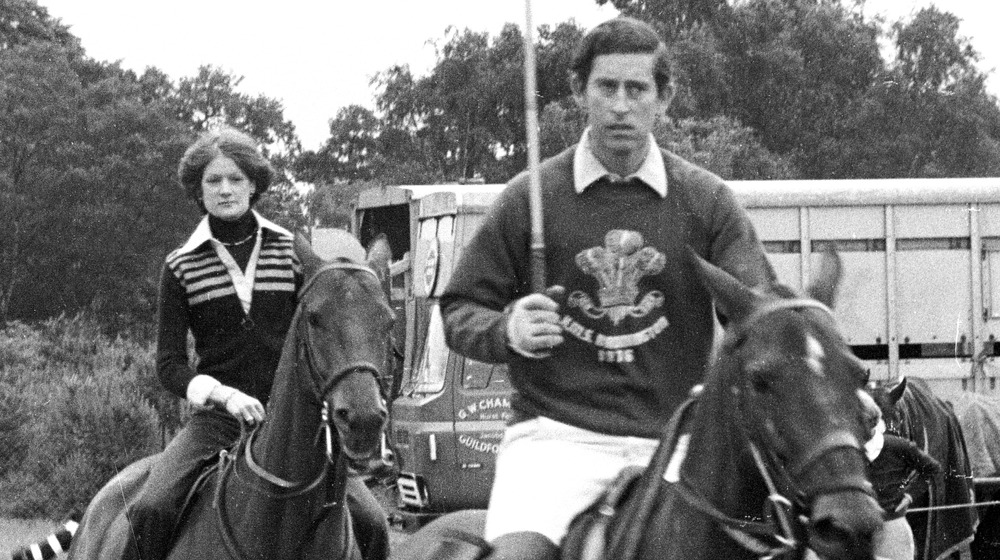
766,462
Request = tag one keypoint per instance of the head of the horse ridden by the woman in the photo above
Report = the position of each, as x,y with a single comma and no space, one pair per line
346,323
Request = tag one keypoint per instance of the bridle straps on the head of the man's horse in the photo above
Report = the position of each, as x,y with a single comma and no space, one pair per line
780,533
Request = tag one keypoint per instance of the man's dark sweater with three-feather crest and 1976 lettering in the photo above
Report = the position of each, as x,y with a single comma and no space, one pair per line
637,322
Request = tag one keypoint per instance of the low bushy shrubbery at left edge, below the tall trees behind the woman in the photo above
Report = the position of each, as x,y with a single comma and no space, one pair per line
75,407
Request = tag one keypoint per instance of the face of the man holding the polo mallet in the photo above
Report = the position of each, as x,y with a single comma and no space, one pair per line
622,106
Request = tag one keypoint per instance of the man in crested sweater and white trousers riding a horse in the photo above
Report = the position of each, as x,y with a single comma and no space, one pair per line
602,358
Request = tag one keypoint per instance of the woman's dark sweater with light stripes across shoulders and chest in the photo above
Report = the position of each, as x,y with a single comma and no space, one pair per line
197,294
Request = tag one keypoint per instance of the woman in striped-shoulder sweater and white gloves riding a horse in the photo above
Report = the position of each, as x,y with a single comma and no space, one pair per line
233,285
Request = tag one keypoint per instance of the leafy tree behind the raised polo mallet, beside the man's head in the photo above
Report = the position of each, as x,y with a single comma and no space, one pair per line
466,119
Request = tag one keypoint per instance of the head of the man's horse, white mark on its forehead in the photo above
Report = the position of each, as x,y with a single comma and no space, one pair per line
787,386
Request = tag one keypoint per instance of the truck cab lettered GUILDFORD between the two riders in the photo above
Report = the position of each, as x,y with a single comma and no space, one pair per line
448,412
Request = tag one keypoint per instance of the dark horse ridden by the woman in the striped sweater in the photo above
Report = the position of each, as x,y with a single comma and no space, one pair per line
280,492
